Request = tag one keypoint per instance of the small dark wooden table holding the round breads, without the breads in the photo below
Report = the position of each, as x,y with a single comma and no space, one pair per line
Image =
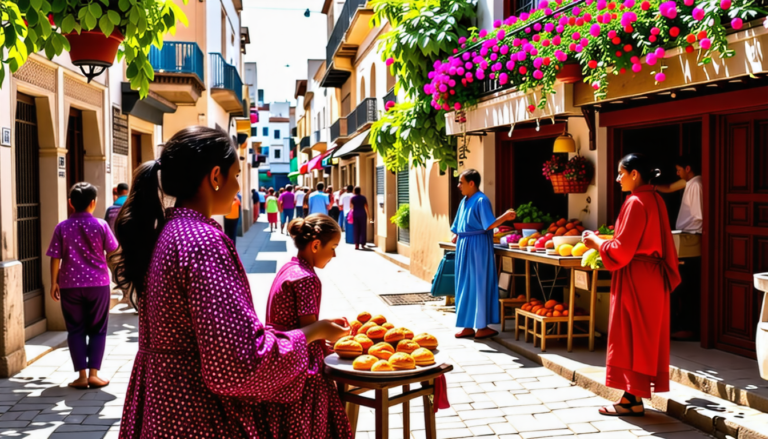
352,386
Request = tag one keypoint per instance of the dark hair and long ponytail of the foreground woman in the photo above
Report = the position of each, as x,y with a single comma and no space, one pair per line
187,158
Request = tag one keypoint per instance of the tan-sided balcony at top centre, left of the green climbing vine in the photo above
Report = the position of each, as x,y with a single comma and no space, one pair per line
349,32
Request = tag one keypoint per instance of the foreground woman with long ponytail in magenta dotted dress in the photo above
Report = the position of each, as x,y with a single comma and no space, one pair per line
206,364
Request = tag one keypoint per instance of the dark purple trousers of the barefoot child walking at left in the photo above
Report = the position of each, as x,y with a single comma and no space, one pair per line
86,313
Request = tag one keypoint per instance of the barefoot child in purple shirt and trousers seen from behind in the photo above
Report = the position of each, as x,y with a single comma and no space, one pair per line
80,279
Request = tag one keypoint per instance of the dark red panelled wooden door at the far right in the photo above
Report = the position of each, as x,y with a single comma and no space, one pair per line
742,231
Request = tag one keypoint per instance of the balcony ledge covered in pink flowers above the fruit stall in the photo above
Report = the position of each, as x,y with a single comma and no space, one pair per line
564,55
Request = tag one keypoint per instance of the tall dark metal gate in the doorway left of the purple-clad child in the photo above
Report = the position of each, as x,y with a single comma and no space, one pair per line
28,210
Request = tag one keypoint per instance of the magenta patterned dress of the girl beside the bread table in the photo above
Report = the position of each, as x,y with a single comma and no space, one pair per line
319,413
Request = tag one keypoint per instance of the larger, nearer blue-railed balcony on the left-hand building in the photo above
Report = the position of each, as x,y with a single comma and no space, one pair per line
179,72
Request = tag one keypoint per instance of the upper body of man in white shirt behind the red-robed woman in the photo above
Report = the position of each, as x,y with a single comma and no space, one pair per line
691,217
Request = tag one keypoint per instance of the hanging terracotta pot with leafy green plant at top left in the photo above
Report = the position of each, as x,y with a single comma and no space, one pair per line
92,31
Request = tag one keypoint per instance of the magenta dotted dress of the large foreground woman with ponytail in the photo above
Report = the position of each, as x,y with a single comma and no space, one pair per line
205,360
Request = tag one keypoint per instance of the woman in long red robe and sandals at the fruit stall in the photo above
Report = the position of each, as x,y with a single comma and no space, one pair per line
643,260
